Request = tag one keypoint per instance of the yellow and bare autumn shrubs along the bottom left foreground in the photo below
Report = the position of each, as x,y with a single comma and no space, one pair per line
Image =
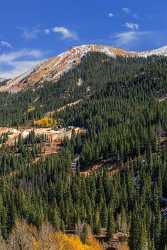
25,236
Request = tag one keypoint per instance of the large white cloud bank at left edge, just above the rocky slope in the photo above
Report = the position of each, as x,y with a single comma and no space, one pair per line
18,62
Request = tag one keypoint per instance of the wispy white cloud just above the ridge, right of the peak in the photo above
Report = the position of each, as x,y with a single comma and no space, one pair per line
128,38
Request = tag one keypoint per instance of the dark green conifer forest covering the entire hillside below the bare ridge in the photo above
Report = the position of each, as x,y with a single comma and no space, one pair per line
123,108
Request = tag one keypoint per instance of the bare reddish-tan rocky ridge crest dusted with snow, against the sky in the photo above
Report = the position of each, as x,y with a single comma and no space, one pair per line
52,69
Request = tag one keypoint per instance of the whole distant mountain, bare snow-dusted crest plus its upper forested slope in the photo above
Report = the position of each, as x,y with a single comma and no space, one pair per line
62,81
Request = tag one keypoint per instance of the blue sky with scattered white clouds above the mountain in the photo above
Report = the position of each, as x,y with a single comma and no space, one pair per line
33,30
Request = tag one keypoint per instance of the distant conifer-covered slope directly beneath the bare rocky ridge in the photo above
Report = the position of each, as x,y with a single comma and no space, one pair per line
78,83
